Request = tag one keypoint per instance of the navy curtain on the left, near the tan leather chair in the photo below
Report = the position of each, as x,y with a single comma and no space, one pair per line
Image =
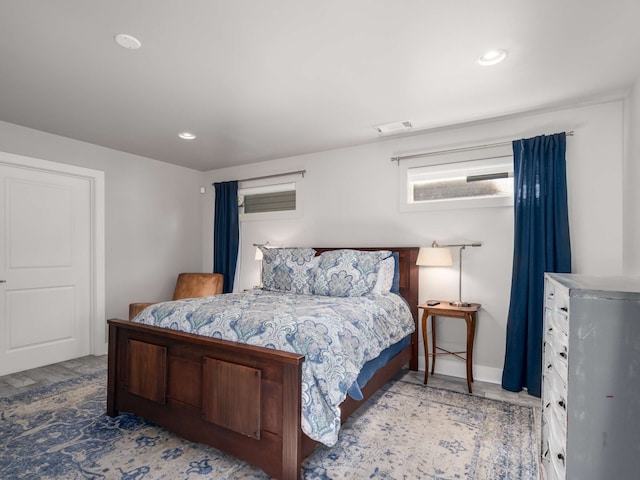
226,232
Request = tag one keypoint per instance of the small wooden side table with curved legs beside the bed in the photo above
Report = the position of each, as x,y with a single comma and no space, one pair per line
443,309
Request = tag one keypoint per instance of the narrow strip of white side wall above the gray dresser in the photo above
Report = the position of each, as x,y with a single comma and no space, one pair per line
632,182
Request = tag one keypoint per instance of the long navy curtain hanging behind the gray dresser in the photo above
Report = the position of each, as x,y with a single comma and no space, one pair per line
541,244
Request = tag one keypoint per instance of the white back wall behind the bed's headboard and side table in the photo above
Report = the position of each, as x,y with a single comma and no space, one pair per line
350,199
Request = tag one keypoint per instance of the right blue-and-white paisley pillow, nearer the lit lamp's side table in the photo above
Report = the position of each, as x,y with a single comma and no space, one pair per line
347,273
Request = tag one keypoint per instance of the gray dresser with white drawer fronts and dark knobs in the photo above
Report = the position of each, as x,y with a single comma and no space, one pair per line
591,378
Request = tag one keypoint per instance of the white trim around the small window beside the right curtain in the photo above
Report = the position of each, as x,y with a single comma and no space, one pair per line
404,205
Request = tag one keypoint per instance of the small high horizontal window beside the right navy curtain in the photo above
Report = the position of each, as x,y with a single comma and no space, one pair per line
457,181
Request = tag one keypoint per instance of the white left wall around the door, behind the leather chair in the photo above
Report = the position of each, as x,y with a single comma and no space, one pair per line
152,219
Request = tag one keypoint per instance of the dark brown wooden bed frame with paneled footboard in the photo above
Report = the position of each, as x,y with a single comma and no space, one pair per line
240,399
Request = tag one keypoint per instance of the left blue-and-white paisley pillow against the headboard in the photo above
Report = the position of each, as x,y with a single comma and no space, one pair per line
288,269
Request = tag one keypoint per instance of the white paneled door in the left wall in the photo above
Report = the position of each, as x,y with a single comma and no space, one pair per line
45,268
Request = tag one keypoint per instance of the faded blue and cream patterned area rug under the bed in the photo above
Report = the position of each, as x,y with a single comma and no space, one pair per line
407,431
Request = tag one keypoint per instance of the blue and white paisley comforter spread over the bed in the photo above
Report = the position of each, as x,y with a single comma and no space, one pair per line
337,335
